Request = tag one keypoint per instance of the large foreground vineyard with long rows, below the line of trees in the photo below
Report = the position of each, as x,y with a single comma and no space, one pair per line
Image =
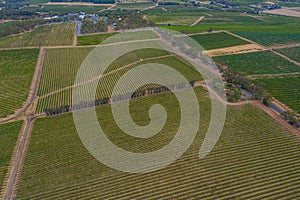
254,158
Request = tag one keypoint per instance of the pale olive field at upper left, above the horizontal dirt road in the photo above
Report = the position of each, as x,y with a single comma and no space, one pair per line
48,35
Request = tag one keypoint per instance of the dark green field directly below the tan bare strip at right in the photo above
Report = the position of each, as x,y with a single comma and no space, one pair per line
263,62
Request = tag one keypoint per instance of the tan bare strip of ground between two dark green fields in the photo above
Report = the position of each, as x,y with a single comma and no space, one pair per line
247,48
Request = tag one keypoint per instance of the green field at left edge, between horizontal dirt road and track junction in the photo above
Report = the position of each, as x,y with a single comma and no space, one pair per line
16,72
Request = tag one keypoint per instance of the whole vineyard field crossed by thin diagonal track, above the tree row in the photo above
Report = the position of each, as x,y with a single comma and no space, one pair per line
66,77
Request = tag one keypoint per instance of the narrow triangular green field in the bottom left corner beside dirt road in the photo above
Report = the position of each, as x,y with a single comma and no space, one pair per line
8,137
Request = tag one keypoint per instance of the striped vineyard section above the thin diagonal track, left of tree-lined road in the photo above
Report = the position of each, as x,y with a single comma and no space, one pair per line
60,67
